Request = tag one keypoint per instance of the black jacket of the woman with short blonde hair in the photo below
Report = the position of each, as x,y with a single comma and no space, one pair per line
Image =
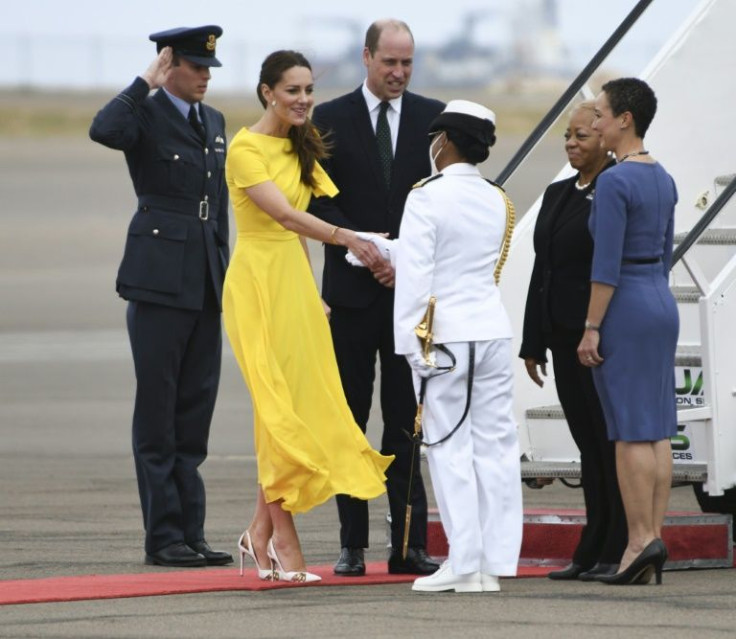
559,290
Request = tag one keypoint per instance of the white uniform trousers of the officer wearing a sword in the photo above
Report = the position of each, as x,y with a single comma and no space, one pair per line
476,473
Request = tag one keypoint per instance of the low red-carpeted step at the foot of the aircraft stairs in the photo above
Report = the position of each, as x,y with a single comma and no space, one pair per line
694,540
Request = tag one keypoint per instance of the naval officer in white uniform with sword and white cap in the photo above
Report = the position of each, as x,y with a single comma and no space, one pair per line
451,233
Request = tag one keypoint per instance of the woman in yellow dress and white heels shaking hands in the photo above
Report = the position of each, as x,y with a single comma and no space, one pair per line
308,446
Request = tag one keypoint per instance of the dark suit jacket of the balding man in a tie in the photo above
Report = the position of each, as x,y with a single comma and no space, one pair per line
364,203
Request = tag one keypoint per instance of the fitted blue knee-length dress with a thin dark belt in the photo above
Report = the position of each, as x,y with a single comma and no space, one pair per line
632,218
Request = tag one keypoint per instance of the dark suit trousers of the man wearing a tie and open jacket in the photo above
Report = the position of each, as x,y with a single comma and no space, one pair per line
359,334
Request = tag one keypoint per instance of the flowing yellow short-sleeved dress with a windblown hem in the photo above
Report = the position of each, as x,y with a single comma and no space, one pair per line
307,443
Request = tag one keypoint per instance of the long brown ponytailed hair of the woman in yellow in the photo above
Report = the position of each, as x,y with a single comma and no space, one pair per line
306,141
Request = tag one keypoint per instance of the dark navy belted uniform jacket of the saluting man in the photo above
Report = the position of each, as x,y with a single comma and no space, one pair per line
169,248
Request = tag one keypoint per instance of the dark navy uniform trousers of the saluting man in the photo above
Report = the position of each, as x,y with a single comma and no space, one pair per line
177,356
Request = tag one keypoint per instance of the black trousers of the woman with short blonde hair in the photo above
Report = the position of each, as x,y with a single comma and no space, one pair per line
604,536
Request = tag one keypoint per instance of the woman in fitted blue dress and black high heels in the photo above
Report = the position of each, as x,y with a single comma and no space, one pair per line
632,322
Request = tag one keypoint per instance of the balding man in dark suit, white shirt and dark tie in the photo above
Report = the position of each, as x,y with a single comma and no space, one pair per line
379,134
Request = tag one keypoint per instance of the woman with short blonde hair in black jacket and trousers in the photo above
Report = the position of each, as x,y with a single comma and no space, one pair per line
556,307
